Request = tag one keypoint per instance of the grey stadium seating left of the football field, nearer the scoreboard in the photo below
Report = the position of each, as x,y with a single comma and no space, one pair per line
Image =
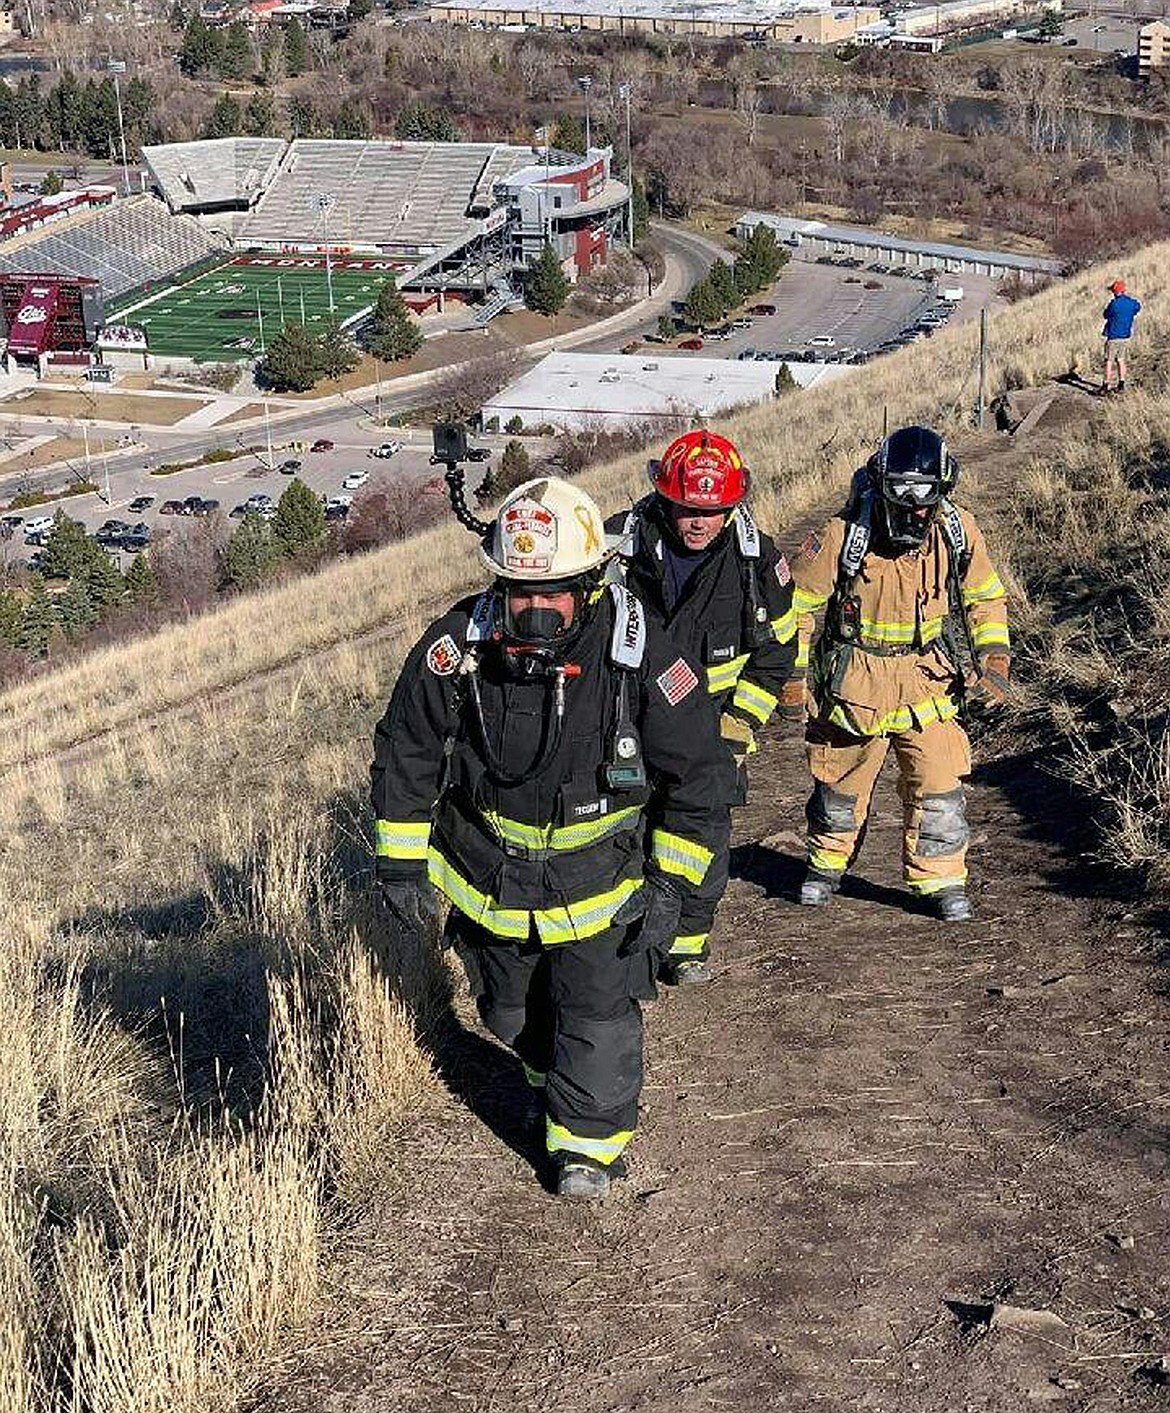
125,247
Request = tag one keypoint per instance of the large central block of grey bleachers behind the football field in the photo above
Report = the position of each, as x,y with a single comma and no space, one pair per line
408,196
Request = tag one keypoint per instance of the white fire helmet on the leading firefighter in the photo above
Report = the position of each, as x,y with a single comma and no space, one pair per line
546,529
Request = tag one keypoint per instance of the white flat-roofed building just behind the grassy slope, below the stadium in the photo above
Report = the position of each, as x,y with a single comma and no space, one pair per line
610,392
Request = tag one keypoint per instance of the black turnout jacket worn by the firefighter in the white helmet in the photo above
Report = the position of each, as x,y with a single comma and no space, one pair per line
562,850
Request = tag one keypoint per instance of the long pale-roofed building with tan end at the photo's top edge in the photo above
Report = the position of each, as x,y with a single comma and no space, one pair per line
791,22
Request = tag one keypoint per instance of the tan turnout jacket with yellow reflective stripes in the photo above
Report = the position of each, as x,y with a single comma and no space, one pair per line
901,672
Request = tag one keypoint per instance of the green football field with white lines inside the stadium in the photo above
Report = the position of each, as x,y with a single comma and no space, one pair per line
218,316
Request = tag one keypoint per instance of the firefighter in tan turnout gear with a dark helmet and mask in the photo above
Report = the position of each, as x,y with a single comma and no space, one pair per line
915,622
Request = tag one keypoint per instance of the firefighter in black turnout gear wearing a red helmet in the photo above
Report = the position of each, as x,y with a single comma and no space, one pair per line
723,591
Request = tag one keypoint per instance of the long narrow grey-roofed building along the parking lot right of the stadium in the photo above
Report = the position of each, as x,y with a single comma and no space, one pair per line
819,238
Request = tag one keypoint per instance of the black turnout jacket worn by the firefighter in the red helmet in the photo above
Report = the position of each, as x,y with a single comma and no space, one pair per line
735,614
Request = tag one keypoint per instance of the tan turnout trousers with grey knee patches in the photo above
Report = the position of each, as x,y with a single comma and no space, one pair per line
932,765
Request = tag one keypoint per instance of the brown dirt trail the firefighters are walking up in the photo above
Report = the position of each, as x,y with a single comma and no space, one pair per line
865,1117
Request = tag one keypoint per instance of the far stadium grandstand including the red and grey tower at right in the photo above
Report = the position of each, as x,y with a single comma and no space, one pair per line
449,215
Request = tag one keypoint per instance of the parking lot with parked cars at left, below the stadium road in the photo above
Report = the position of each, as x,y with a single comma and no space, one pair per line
249,475
